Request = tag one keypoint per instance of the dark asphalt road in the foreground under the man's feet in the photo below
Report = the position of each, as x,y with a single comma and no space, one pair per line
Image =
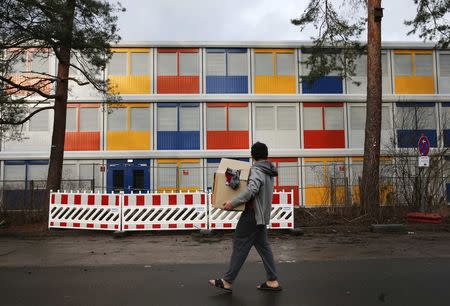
354,282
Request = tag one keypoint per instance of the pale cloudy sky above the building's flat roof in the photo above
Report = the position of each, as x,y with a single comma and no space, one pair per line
240,20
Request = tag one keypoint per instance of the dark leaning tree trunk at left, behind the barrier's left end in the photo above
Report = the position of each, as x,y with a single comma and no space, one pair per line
60,108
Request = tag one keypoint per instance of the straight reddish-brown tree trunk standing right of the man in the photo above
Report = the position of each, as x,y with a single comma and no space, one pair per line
371,166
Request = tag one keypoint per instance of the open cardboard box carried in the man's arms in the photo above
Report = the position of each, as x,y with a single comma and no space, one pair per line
223,193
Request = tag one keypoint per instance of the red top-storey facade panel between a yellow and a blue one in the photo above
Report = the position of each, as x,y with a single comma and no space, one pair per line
178,84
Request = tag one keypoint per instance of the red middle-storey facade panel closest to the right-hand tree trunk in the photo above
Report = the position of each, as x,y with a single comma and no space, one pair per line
324,139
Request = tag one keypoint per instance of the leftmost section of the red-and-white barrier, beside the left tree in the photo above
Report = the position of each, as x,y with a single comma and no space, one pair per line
93,211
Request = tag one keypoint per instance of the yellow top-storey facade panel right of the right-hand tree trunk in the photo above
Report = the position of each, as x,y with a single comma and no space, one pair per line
414,85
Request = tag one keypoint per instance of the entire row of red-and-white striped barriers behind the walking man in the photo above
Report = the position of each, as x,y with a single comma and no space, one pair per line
154,211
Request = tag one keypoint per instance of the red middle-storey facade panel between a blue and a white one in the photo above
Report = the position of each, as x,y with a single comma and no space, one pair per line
227,140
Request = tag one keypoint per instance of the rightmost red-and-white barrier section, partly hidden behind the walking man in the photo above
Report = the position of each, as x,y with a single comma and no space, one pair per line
281,216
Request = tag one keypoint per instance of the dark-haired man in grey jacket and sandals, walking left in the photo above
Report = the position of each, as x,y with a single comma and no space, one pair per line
251,229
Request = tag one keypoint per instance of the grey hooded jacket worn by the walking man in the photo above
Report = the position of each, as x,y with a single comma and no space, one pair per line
260,190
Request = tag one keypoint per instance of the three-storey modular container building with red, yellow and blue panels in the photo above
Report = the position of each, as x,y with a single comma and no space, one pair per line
185,105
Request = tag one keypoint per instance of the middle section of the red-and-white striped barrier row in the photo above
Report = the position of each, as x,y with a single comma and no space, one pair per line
164,211
